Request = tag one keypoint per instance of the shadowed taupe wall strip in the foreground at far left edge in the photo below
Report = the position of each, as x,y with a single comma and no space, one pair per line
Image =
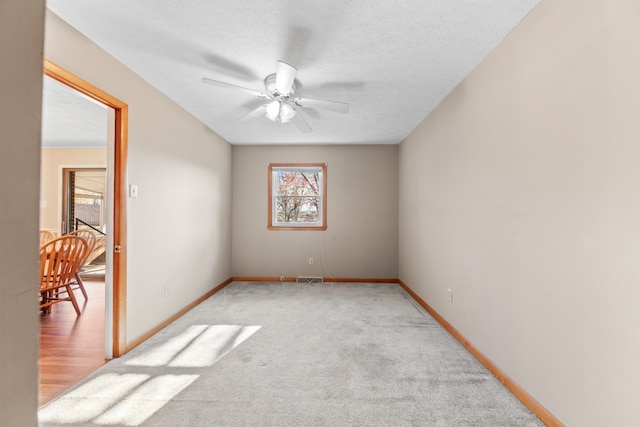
21,32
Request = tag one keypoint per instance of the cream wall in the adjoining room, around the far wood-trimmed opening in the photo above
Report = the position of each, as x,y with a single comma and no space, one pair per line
53,160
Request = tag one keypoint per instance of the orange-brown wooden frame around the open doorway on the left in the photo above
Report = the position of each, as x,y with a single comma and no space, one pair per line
119,266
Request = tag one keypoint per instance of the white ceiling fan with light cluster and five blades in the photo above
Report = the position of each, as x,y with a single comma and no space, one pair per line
281,105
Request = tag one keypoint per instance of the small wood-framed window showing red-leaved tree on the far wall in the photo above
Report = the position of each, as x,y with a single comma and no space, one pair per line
297,196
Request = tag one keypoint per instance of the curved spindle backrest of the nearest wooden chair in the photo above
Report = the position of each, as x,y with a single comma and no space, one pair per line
60,259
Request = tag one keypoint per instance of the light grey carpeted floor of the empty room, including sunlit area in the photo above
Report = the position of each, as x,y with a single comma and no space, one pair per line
286,354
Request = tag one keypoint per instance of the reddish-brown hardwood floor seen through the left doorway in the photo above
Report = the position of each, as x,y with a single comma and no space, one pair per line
71,347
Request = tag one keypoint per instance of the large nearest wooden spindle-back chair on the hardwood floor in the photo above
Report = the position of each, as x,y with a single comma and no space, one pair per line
60,259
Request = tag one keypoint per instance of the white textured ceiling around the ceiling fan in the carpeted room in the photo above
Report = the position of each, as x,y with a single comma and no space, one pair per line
392,61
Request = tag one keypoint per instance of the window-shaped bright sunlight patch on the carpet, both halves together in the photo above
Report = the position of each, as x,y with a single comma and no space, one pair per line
130,399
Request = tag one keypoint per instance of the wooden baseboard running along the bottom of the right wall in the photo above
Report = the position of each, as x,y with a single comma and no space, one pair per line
540,411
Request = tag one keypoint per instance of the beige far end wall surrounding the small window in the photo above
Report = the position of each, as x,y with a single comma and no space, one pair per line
361,239
